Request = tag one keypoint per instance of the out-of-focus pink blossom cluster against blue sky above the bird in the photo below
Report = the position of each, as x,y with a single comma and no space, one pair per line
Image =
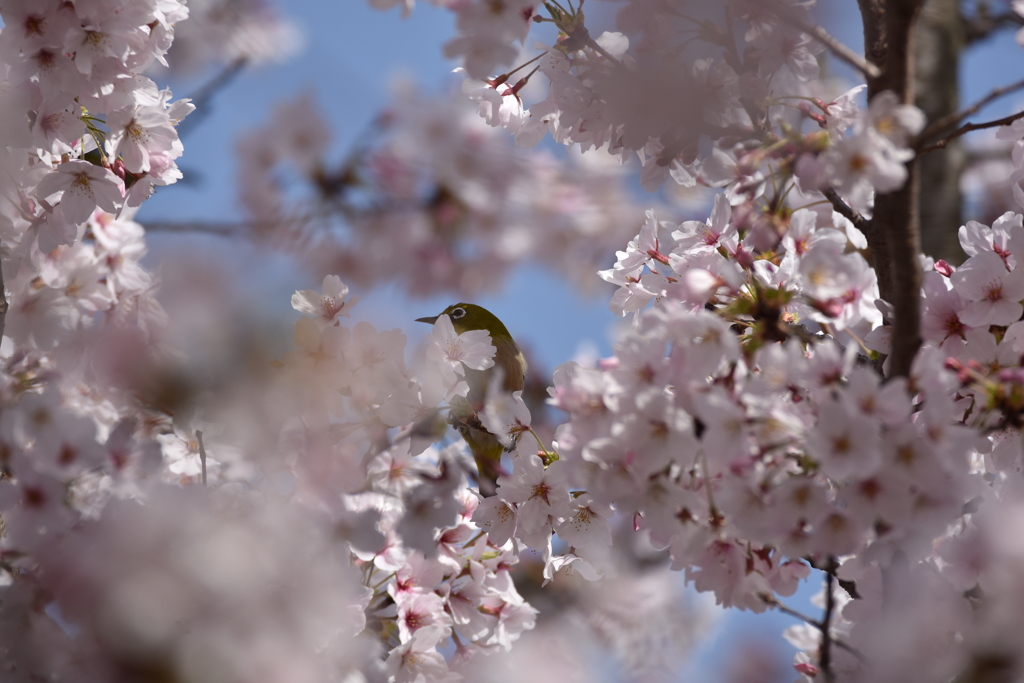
466,205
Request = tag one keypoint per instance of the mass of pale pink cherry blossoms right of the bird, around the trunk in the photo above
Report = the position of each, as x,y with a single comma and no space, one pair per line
746,423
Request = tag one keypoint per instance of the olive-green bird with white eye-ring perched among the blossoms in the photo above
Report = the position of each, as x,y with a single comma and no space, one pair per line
510,364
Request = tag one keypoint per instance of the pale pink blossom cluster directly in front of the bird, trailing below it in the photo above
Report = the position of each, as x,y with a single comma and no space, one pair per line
436,577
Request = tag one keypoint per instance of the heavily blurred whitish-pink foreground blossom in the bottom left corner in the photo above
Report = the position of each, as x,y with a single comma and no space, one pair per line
195,585
